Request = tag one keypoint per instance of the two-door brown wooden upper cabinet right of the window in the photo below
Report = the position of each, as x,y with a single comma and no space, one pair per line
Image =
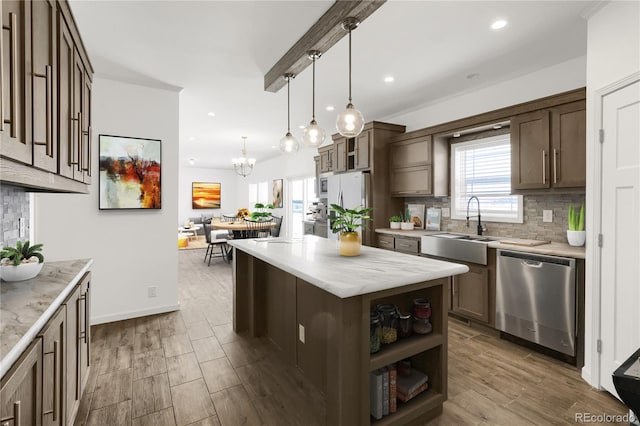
548,148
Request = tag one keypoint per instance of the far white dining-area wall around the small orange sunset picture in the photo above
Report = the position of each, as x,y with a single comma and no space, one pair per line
228,186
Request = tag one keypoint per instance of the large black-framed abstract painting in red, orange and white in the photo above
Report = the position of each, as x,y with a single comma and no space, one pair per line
129,173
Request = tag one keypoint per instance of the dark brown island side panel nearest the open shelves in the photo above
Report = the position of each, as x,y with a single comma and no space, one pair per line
331,356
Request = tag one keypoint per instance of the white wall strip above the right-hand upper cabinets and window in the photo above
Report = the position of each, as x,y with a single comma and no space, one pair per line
558,78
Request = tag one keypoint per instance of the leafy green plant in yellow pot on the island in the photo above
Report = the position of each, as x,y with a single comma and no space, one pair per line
347,222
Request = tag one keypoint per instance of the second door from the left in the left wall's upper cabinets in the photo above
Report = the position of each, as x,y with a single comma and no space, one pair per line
43,36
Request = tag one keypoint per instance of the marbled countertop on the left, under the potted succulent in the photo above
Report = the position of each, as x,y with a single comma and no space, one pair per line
26,306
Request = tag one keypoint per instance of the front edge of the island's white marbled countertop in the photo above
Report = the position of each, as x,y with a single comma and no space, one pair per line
454,269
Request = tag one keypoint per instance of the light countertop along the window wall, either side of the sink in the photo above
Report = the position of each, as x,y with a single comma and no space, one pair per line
552,249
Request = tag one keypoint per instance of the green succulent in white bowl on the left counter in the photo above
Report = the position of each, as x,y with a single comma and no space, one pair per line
22,262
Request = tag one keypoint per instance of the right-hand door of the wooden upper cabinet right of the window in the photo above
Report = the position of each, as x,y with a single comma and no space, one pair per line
569,145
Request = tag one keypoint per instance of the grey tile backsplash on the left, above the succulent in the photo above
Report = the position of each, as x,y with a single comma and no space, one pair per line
15,204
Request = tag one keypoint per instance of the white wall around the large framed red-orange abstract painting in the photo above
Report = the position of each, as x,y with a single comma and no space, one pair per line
132,249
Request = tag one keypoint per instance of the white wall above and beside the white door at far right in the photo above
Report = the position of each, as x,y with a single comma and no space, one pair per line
613,52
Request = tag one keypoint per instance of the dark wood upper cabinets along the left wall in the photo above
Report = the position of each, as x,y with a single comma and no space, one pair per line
45,131
